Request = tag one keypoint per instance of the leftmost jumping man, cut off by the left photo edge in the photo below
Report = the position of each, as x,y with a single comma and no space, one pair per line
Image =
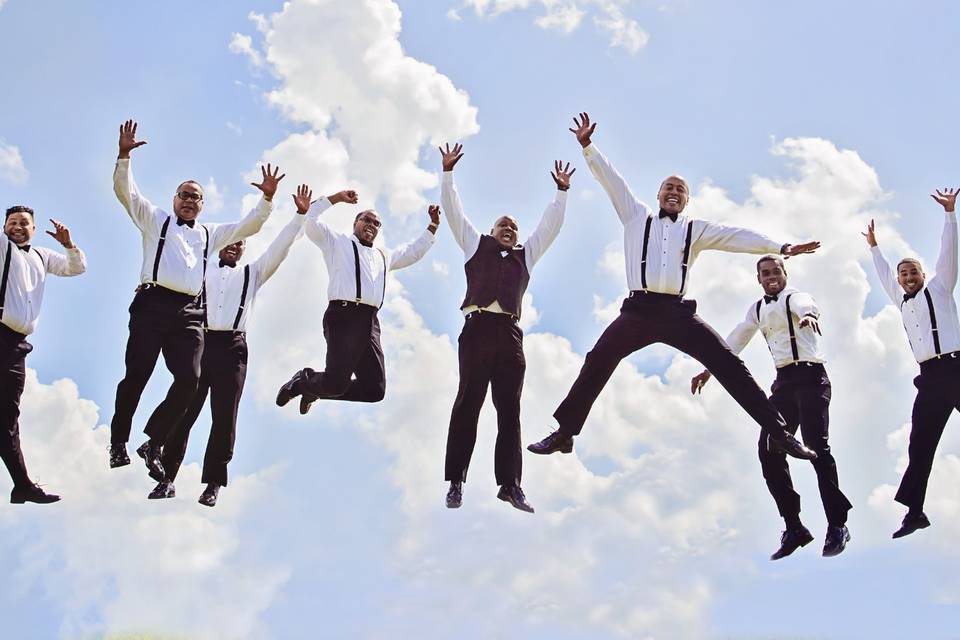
22,276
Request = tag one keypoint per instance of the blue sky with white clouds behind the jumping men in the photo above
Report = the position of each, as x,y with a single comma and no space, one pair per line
803,121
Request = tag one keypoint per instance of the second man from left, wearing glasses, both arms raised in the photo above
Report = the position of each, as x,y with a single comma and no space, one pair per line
166,314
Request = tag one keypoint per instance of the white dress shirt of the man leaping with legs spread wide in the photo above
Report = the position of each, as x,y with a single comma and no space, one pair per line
667,238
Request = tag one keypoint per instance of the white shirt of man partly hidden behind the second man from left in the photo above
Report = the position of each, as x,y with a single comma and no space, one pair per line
225,284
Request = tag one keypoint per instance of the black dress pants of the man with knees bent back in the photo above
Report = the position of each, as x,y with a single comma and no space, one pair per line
354,365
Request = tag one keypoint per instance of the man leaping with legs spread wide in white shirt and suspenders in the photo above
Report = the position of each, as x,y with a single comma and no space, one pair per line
660,250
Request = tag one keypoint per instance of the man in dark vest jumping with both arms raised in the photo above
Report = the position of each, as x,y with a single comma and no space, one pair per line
491,343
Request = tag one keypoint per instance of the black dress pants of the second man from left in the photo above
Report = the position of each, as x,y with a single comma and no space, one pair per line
161,321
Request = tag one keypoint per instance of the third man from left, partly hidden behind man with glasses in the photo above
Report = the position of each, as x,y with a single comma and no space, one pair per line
231,292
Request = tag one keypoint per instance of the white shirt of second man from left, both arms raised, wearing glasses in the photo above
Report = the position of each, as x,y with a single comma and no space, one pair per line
181,261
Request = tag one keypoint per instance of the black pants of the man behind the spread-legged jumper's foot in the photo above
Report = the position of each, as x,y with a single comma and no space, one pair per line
802,393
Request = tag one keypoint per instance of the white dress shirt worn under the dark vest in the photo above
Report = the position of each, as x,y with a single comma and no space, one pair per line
468,237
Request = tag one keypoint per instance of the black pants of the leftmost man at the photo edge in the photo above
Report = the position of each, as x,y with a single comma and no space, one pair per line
13,352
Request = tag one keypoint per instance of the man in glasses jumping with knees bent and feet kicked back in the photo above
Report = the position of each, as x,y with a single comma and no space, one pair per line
354,369
